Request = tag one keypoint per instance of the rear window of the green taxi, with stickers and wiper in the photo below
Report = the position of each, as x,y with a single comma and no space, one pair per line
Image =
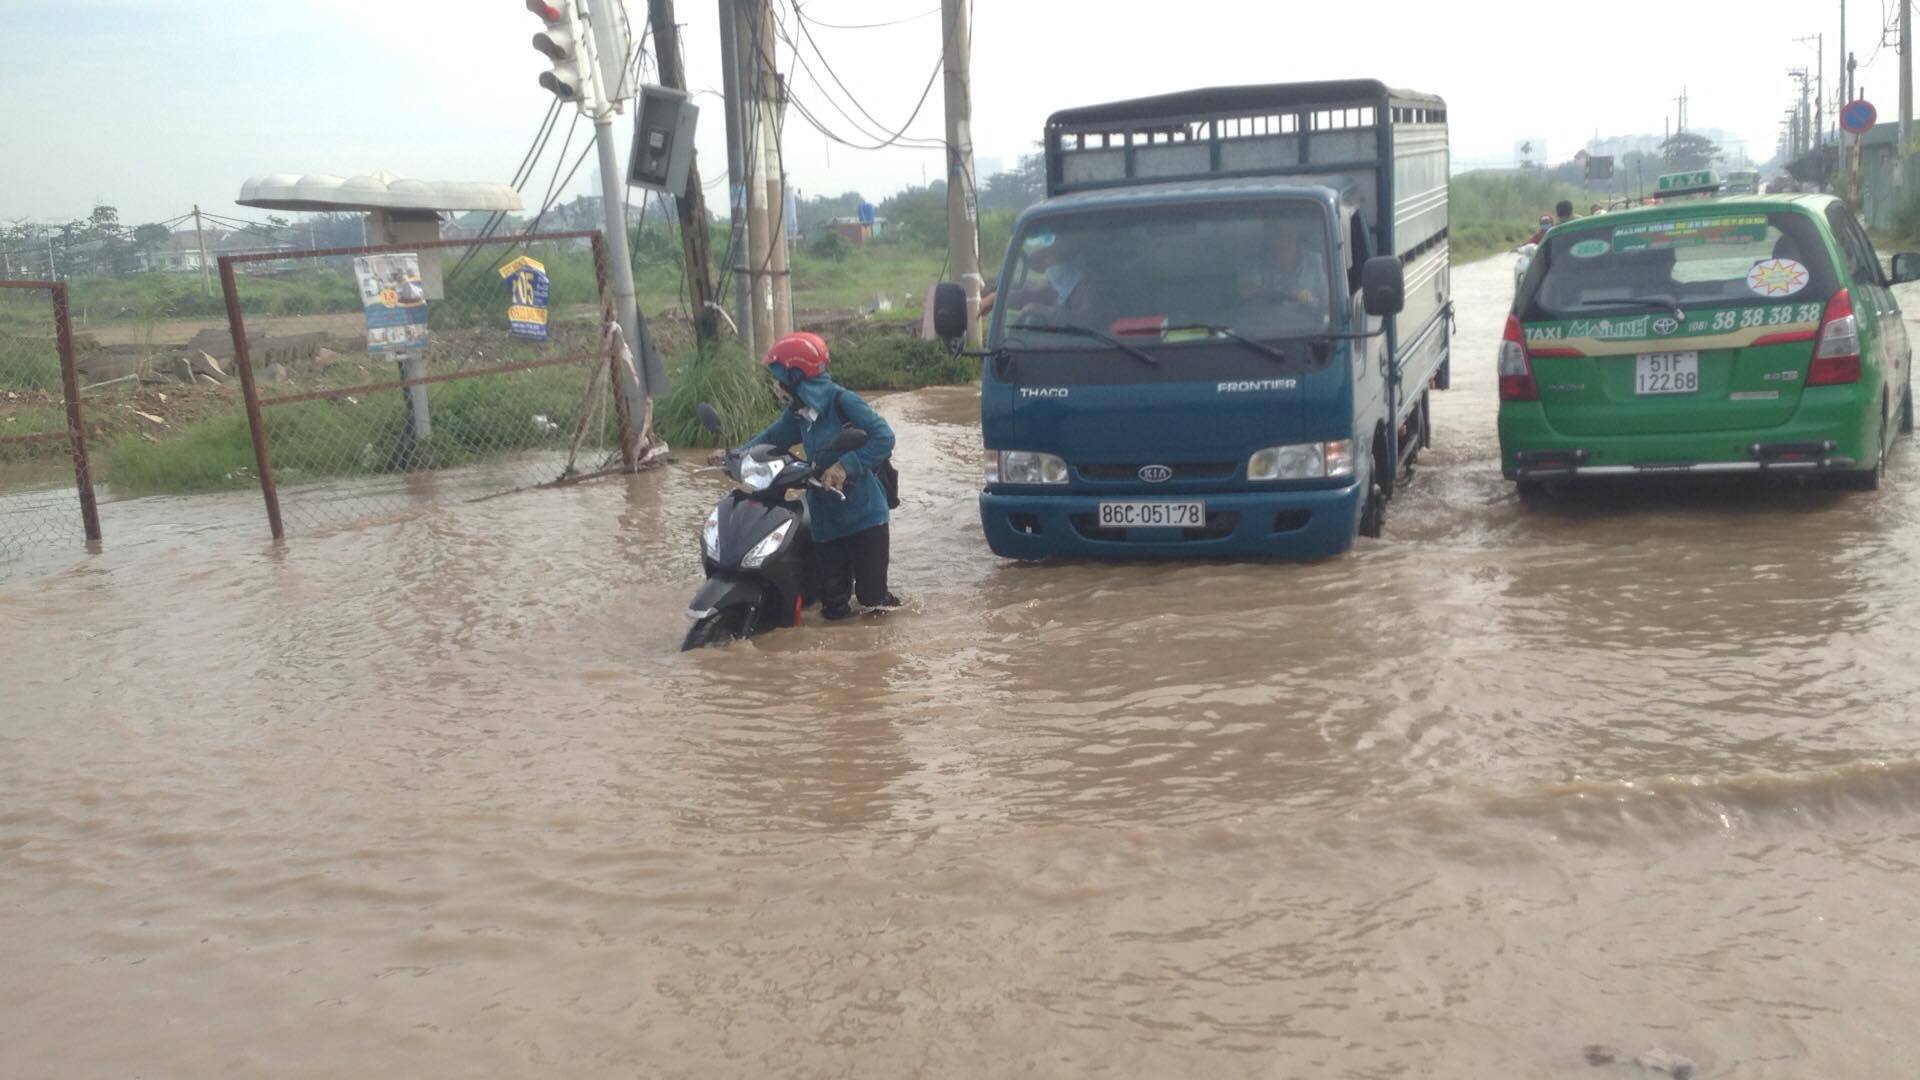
1704,260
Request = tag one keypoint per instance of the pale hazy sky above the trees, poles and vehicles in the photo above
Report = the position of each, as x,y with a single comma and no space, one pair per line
156,105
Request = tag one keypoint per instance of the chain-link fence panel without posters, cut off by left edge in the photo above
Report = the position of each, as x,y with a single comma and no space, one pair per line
47,499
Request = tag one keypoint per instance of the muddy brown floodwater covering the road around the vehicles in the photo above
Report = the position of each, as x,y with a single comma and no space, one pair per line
439,798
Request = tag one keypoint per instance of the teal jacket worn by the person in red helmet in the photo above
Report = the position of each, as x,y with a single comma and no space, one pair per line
867,501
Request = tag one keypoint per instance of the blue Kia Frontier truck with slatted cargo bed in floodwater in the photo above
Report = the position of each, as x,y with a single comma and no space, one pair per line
1218,333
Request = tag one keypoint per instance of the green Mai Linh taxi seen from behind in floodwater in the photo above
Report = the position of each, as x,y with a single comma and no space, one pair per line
1721,335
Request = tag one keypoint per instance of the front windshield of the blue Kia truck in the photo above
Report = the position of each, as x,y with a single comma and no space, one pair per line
1143,274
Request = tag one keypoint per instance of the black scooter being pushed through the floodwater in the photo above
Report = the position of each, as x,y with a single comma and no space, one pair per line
757,547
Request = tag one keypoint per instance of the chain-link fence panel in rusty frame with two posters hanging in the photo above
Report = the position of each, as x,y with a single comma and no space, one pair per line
408,374
